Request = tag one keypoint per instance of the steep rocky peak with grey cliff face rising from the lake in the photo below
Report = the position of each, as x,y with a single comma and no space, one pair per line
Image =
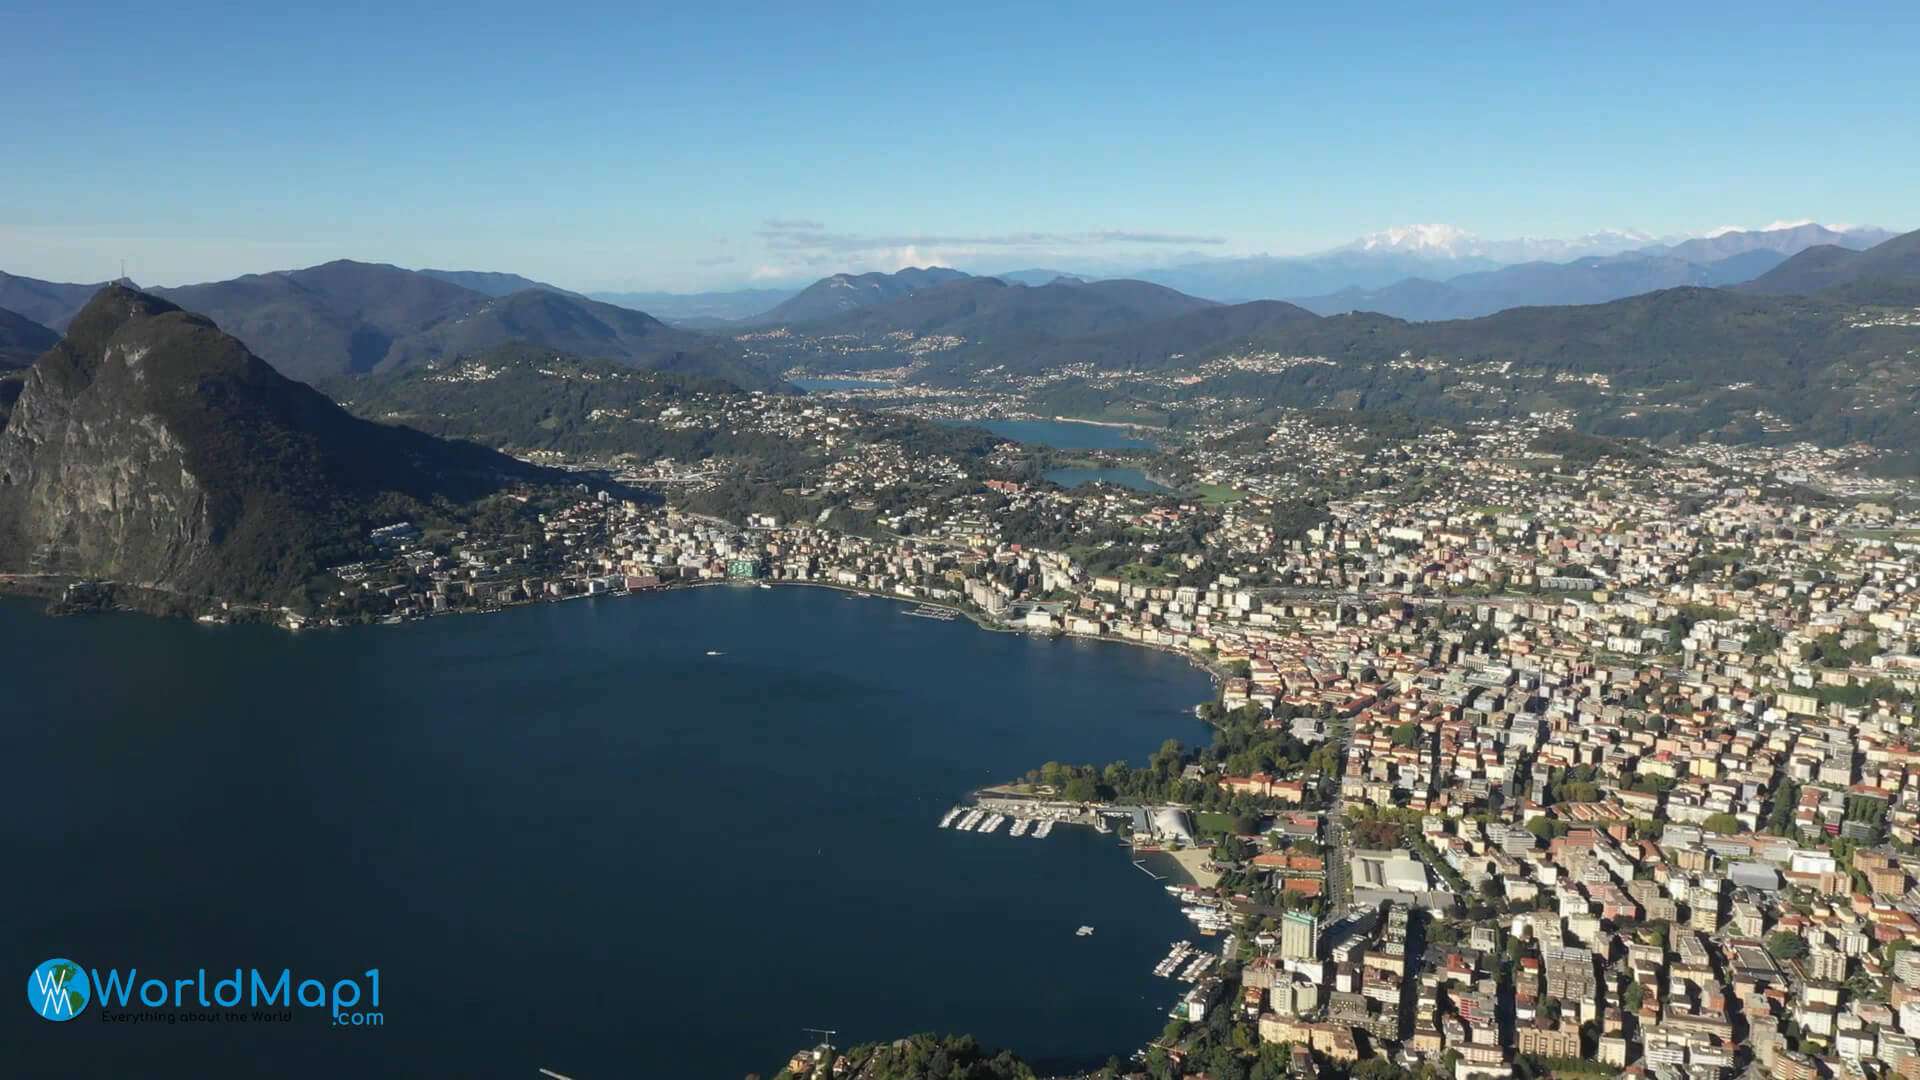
153,449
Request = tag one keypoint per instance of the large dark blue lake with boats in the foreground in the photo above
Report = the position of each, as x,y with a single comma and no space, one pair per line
573,841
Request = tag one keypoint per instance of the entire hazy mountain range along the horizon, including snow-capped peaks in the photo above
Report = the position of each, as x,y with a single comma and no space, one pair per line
364,318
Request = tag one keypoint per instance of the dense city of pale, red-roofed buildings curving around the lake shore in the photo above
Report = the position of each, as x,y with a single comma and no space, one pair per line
1535,752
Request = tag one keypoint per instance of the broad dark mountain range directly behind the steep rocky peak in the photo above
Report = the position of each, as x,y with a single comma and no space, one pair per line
360,318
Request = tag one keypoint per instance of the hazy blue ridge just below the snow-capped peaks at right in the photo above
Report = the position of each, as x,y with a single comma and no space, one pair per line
1593,280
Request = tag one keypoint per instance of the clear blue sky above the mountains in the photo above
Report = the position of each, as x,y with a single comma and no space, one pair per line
711,147
